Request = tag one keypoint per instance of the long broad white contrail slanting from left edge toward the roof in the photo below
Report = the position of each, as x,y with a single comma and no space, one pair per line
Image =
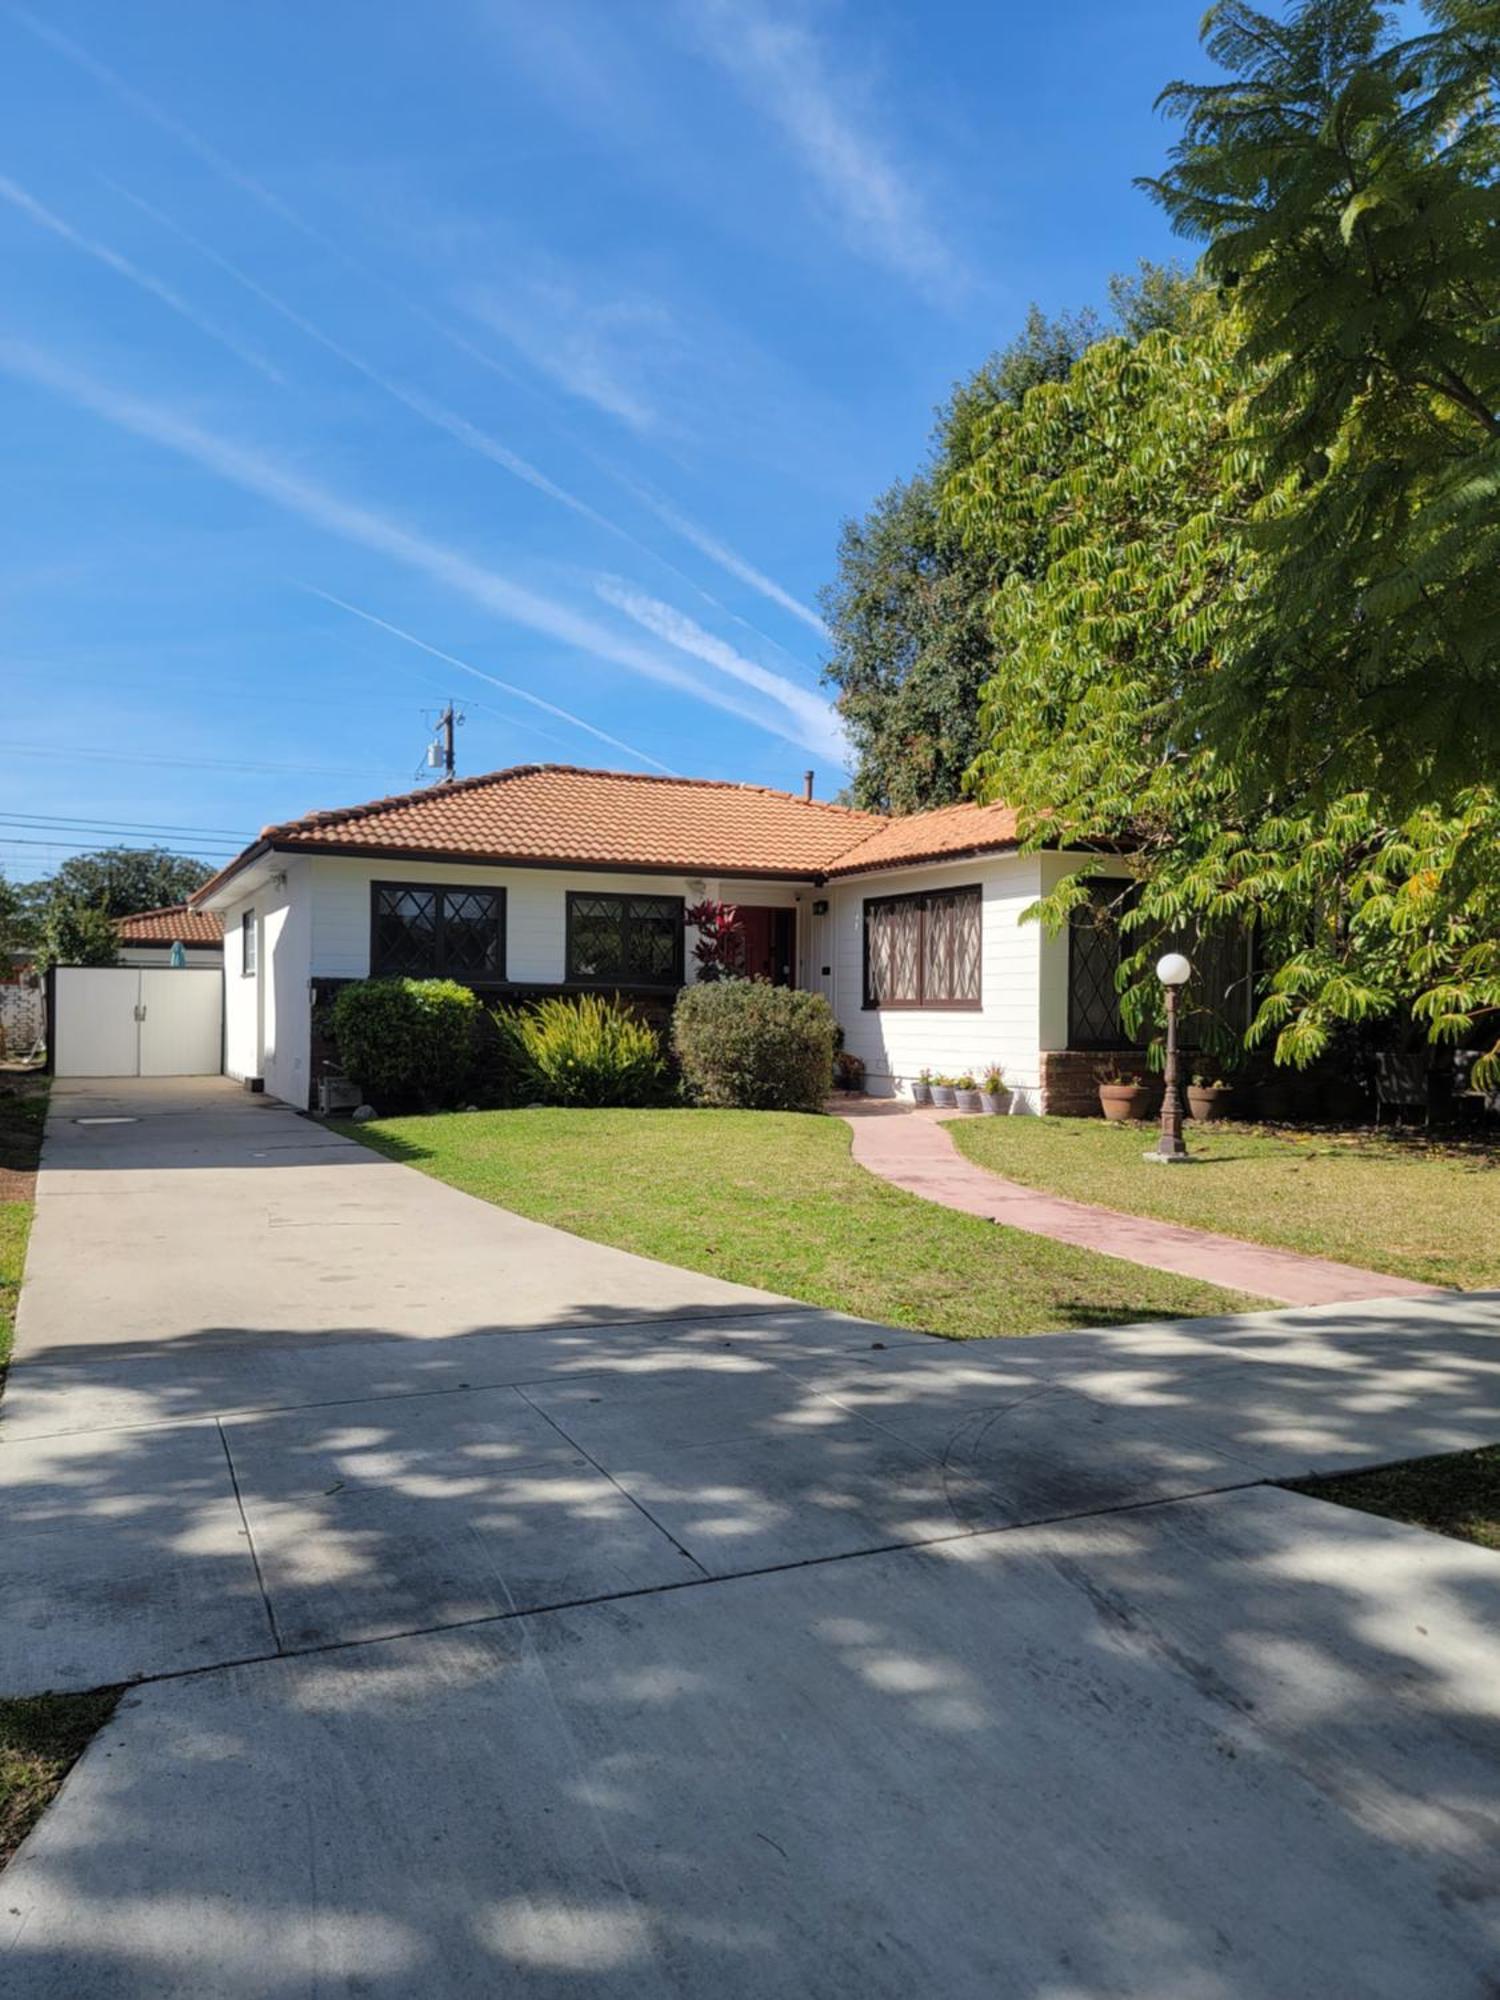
351,521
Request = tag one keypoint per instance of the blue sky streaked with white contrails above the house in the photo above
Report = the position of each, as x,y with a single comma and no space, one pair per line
355,357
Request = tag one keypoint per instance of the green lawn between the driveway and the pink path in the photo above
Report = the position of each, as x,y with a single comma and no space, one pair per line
775,1201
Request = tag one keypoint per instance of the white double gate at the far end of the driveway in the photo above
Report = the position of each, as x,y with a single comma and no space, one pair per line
137,1021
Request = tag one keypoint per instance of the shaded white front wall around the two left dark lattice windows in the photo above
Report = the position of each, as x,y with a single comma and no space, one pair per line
537,909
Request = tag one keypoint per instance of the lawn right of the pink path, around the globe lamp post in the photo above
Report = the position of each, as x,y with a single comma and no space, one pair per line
1389,1203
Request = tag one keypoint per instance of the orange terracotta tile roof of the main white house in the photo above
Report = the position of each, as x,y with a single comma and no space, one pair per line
555,815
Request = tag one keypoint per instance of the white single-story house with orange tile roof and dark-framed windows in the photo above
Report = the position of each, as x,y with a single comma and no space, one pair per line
551,879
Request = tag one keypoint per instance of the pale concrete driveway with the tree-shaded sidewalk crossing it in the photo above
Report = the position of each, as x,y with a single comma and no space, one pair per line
517,1617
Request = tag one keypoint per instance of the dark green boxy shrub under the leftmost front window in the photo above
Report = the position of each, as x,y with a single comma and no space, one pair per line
407,1041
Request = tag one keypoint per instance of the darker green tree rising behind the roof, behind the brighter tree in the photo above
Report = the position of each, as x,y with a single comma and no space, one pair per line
911,641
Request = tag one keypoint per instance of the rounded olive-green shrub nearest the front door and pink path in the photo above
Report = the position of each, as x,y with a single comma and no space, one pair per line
755,1047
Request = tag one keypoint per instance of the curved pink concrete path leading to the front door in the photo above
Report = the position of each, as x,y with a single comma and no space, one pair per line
911,1149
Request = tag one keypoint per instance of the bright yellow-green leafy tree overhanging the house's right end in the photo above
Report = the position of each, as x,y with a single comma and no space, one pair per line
1123,509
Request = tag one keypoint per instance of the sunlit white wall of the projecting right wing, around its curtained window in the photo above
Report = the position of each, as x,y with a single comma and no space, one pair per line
1005,1029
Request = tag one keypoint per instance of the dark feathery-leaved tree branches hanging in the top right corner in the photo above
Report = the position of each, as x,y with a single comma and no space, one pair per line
1347,187
